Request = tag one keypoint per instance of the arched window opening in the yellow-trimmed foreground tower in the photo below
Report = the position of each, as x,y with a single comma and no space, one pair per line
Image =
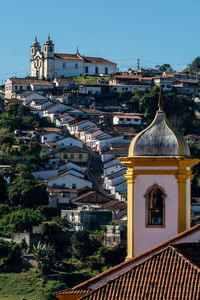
155,206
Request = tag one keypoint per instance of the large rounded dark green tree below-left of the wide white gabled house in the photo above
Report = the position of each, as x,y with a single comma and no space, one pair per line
28,193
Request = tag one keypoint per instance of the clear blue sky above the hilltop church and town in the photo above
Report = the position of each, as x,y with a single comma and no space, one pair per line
155,31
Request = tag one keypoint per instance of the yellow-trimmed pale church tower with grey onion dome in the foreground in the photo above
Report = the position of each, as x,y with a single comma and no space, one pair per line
159,178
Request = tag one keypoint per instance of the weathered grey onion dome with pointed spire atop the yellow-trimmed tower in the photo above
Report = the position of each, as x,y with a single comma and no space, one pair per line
159,138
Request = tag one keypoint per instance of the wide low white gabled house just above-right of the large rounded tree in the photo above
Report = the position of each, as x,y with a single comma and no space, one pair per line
69,181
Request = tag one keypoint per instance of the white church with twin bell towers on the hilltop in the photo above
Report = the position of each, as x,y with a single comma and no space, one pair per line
48,64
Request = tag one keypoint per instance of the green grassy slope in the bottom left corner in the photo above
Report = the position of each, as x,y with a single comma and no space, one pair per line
15,286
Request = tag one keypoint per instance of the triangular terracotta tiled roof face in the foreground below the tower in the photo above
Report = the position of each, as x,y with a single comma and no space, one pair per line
166,275
